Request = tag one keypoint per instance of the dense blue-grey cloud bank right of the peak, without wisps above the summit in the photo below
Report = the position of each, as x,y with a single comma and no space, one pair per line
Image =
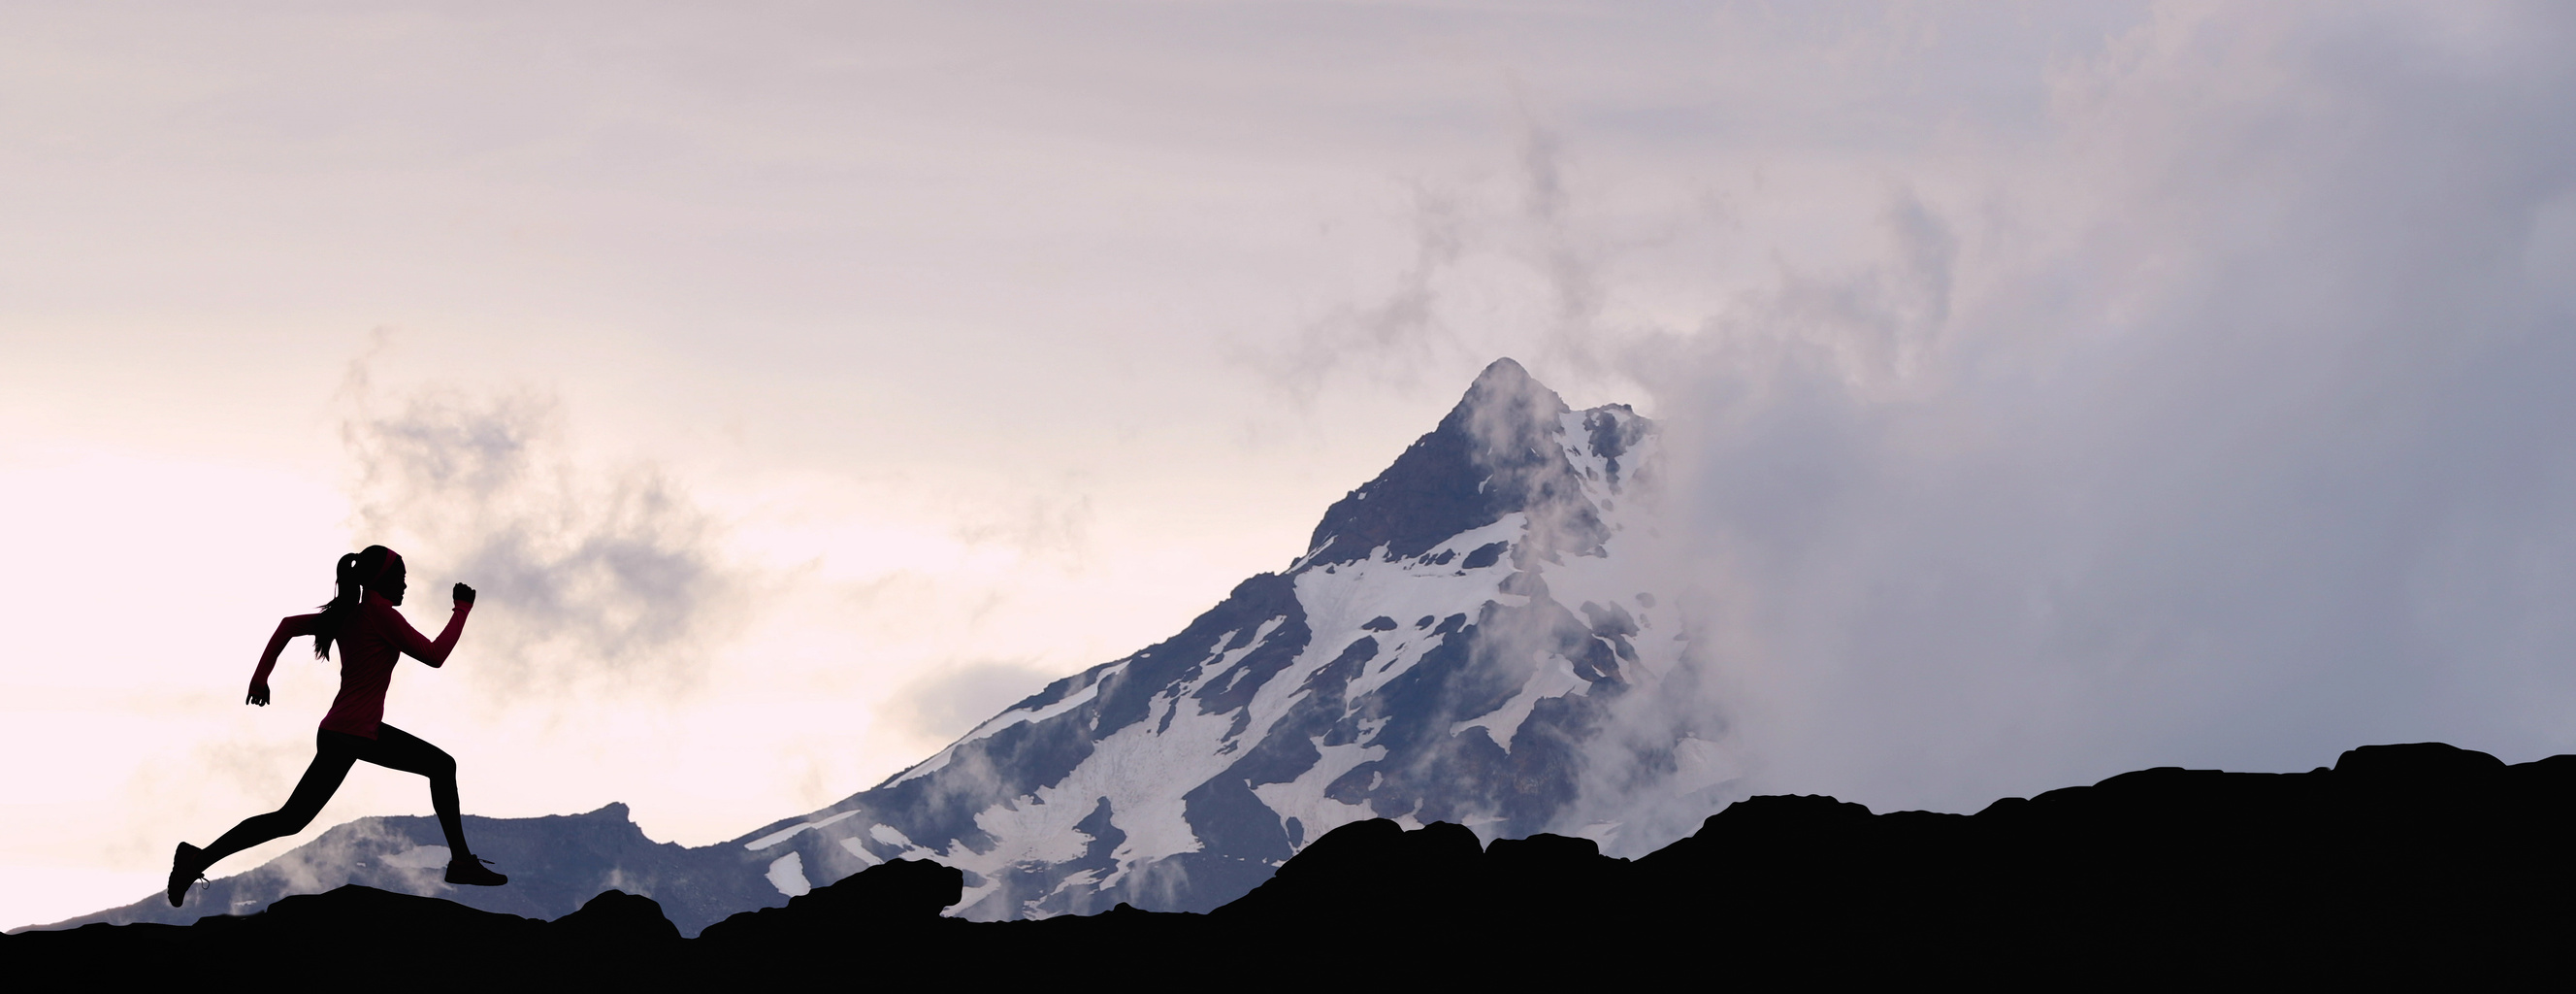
2224,424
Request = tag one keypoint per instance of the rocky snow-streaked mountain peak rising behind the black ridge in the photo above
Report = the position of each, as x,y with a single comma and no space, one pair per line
1444,653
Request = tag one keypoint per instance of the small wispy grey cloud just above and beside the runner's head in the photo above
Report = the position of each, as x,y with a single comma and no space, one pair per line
583,573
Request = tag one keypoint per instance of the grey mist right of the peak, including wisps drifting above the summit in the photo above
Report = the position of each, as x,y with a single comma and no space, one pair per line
2052,406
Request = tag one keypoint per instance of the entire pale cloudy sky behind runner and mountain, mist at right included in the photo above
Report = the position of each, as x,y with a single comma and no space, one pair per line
2057,390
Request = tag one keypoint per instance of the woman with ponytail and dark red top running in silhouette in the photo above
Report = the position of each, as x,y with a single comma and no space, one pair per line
372,637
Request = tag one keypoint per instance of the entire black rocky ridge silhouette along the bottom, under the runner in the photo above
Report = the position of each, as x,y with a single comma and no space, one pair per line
2412,864
